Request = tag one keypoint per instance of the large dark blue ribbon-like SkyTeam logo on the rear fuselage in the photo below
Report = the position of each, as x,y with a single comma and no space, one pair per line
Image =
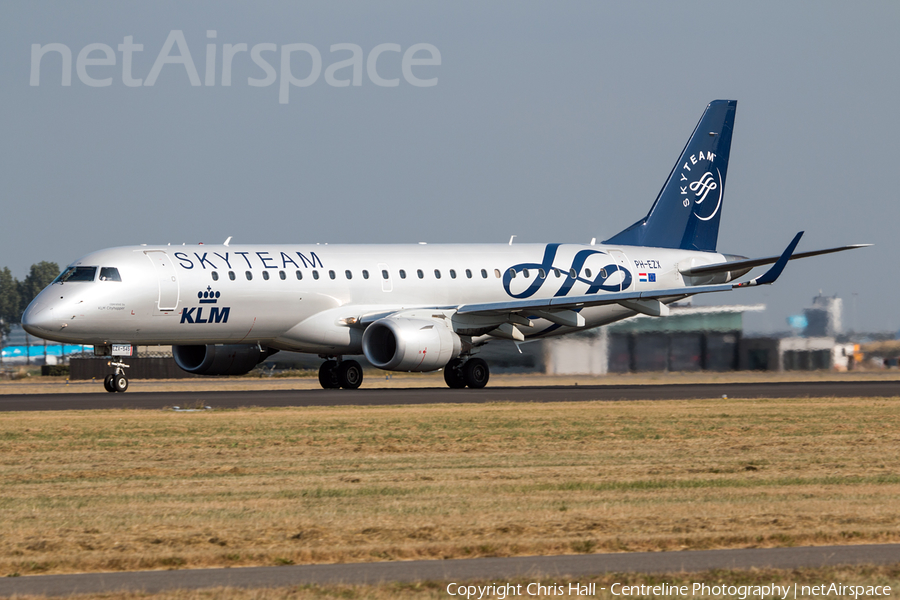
609,278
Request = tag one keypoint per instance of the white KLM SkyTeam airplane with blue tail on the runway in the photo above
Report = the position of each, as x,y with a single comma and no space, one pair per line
413,307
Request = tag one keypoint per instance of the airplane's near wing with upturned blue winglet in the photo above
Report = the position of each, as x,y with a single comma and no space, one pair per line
562,309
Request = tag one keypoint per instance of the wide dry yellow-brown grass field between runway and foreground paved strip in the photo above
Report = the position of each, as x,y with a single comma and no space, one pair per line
122,490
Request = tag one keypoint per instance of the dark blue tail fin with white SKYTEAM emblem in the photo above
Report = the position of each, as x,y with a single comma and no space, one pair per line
686,212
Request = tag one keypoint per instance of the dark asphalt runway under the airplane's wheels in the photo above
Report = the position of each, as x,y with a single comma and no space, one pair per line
412,396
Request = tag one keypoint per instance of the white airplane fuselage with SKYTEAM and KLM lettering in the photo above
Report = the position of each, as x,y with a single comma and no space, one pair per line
307,298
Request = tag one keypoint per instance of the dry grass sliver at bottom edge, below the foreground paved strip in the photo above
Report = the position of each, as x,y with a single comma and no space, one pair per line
859,575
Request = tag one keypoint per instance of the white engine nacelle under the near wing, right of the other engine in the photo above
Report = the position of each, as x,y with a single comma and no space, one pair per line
404,344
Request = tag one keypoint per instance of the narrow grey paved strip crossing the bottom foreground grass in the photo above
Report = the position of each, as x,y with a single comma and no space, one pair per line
491,569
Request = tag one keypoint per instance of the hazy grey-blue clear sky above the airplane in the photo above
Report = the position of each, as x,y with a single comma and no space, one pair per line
554,122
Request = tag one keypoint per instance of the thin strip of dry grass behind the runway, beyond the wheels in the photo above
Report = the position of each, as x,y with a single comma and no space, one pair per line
384,380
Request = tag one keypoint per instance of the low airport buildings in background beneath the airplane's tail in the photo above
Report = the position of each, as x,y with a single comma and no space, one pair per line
709,338
